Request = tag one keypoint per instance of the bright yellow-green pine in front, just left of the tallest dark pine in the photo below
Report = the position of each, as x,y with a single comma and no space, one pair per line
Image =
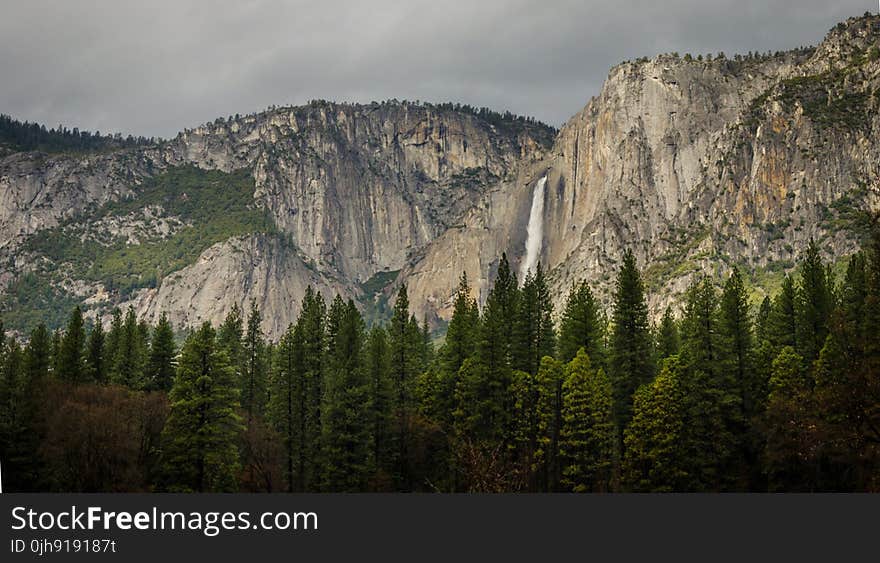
588,438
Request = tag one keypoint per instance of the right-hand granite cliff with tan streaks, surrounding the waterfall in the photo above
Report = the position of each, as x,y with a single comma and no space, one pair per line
682,160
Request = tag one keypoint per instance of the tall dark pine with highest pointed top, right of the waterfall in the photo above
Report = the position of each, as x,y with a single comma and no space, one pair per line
632,363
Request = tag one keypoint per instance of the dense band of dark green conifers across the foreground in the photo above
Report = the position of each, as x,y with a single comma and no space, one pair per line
719,397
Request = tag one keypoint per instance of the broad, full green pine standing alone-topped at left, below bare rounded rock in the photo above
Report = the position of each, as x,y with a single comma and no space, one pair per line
200,437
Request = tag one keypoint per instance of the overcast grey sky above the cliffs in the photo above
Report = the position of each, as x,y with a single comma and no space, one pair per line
156,67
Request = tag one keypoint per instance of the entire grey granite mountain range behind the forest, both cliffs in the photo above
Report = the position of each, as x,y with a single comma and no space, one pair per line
683,159
